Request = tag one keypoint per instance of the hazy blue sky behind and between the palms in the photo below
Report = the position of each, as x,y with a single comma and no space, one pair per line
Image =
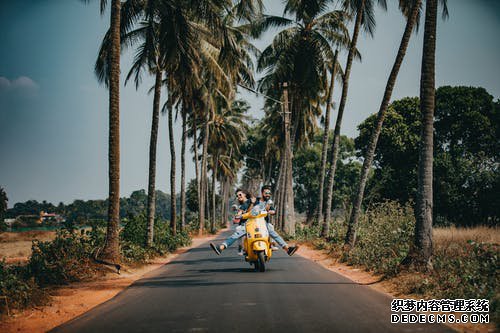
53,113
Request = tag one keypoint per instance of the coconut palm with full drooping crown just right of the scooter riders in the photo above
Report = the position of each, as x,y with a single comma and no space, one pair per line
299,55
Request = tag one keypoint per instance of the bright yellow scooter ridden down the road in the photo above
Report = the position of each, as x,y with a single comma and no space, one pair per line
256,244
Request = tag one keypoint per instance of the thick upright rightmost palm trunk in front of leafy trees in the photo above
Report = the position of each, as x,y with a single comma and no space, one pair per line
421,251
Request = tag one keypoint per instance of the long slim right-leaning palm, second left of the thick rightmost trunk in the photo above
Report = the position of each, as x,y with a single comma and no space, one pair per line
365,19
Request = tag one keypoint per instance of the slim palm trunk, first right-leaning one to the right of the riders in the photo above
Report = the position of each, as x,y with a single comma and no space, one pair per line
324,150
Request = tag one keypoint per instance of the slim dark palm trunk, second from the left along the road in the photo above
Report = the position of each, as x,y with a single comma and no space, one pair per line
152,159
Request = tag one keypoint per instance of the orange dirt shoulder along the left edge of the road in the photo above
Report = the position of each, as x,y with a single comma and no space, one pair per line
71,301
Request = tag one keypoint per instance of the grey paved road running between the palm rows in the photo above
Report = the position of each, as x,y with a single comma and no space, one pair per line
203,292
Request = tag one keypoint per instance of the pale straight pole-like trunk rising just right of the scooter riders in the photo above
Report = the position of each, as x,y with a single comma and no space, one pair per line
289,213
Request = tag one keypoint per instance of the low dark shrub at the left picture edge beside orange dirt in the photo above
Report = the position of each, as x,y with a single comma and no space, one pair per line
20,290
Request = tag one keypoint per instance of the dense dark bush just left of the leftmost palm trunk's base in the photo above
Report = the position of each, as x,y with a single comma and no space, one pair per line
63,260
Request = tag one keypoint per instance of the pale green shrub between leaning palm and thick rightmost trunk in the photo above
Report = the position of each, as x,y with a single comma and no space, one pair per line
383,238
